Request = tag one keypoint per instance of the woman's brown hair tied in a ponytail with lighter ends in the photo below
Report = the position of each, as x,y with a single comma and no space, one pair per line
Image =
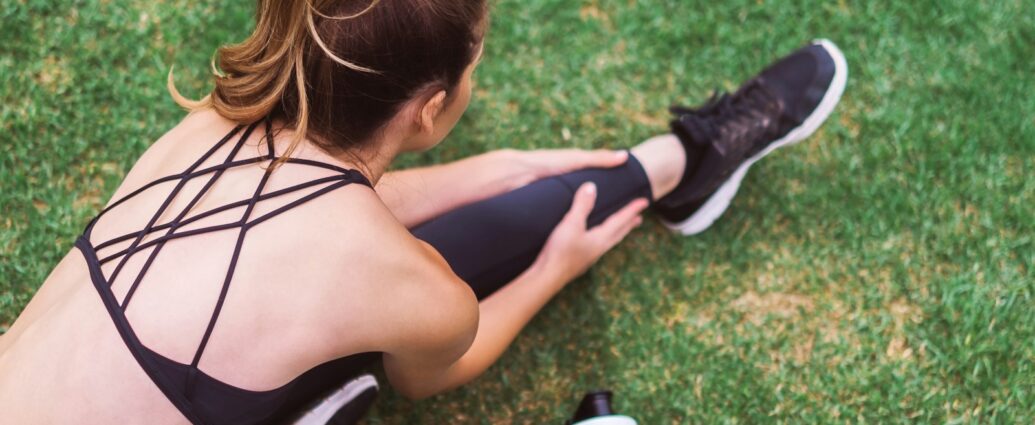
338,71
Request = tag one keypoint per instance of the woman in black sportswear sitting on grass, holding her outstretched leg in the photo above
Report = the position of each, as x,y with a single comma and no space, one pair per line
259,255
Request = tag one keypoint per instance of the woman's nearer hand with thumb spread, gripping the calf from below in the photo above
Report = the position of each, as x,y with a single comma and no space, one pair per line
572,249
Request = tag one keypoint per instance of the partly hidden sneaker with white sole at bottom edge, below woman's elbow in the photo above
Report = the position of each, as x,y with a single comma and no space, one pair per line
345,406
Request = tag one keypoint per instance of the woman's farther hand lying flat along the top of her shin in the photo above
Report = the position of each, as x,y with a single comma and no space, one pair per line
527,167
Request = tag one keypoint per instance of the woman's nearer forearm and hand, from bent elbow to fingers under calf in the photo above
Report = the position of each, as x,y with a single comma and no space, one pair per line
569,253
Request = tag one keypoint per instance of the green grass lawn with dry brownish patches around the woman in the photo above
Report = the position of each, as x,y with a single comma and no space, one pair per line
880,272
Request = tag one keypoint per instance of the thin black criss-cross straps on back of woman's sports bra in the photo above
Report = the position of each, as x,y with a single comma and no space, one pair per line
174,230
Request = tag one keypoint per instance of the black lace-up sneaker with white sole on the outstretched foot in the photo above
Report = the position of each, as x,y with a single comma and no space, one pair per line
784,105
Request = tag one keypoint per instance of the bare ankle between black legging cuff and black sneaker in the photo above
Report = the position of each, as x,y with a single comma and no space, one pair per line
664,160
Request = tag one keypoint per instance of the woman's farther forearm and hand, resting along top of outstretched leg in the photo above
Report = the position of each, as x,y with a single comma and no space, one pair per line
417,196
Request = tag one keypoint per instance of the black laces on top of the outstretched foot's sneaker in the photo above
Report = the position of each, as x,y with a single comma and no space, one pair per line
728,123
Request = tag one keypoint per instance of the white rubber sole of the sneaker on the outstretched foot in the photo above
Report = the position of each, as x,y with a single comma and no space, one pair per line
717,205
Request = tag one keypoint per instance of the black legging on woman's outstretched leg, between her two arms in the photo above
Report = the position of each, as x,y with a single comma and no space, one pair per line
489,244
